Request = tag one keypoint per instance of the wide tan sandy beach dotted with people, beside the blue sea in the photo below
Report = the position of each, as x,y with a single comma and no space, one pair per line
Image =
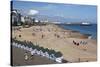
53,37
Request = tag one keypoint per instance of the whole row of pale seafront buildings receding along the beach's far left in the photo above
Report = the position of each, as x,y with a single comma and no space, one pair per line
18,19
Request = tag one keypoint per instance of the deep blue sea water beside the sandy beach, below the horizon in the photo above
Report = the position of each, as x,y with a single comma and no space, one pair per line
91,30
